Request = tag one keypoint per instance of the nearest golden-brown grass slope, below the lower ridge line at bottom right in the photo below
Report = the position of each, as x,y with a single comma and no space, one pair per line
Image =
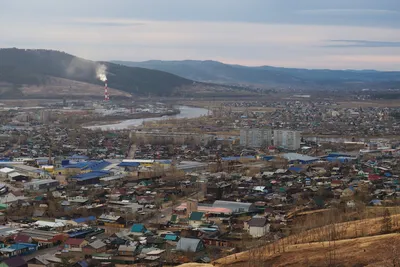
366,251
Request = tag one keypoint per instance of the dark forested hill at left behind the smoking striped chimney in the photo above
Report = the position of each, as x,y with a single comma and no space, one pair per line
23,68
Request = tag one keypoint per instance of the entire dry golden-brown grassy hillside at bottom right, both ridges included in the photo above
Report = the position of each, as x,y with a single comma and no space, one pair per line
356,242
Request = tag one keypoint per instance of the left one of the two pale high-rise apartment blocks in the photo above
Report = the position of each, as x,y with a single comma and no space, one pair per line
255,137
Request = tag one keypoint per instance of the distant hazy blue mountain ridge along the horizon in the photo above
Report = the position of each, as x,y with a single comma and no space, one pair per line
213,71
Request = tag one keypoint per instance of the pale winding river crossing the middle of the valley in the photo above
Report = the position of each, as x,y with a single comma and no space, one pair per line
185,113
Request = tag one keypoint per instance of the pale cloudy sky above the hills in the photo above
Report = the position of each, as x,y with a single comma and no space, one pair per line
335,34
